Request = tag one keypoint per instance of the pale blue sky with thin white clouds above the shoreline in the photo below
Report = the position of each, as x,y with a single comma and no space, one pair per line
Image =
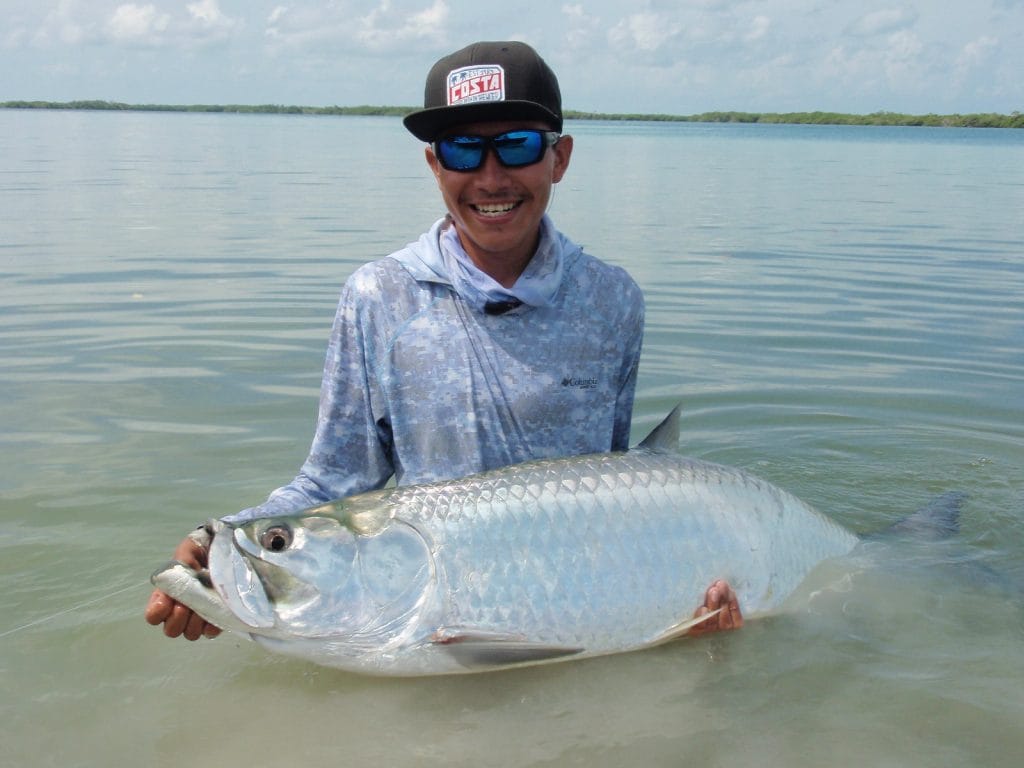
679,57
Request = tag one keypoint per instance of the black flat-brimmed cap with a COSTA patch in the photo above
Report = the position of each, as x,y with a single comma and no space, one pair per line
488,81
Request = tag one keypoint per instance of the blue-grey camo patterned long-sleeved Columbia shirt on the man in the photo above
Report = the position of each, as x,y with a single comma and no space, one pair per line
422,385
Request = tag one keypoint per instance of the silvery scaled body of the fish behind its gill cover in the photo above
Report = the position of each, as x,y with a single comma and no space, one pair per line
553,582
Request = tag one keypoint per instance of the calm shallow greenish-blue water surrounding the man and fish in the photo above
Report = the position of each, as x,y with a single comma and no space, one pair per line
838,310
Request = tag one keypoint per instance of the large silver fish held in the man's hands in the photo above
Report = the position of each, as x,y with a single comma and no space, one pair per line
536,563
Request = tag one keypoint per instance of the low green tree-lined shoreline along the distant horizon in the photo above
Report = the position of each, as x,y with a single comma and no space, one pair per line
984,120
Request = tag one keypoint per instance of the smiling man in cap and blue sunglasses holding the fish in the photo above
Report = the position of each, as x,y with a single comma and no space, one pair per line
492,340
